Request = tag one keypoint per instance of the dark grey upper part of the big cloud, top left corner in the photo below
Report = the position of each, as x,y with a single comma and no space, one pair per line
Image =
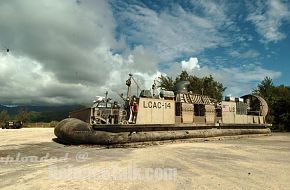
60,35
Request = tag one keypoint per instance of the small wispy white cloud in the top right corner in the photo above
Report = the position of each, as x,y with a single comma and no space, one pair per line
268,18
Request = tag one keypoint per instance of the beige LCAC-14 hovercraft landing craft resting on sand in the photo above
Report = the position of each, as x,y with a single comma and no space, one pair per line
170,115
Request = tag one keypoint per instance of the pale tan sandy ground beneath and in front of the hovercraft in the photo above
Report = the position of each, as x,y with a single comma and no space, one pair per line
29,159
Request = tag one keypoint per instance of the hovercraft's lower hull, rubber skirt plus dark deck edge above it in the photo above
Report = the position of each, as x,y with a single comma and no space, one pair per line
75,131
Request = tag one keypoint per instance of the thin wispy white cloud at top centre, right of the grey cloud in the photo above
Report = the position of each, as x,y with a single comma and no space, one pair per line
175,31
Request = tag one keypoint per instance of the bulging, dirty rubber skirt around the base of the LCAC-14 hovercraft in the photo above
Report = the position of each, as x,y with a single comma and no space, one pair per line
75,131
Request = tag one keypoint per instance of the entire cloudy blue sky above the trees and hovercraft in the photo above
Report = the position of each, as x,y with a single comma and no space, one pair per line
69,51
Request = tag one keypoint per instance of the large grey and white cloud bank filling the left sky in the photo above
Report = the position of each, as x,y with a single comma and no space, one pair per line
61,52
